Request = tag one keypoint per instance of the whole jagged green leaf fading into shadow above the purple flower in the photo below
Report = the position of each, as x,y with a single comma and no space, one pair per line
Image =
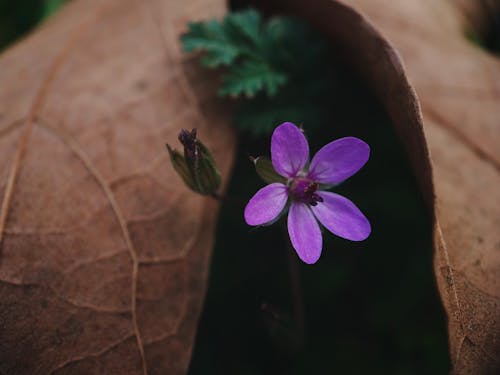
278,69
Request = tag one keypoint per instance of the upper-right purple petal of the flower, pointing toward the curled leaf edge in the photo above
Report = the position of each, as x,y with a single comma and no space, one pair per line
339,160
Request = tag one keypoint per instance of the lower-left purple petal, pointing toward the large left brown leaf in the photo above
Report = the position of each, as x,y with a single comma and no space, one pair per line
266,204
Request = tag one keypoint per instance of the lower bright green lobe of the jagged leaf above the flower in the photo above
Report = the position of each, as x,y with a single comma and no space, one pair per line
250,78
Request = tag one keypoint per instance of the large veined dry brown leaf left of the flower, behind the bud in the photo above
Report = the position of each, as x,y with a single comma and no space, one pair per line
104,253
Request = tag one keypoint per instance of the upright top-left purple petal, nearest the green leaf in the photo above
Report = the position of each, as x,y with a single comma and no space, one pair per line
289,149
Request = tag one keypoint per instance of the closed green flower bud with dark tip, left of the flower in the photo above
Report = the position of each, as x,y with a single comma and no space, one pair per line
196,167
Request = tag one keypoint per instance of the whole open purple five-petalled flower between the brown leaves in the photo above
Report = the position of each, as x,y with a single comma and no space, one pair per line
332,164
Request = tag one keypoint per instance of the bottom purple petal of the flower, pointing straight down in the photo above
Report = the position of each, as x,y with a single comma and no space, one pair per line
304,232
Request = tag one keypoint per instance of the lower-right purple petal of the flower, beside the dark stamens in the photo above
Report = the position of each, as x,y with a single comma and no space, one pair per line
341,217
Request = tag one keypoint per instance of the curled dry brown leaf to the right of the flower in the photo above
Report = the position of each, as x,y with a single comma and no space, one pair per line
454,149
